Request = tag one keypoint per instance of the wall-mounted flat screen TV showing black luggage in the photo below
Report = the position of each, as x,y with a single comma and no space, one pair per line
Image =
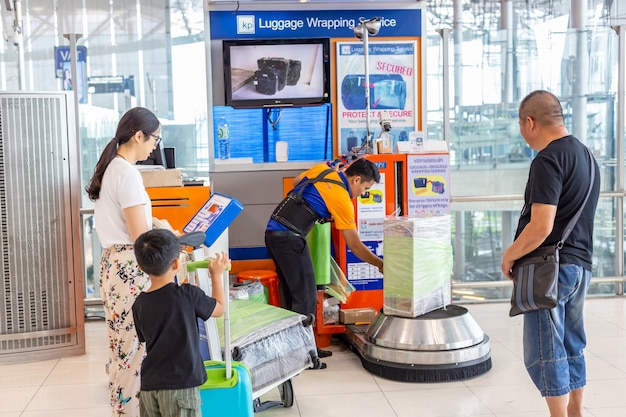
277,72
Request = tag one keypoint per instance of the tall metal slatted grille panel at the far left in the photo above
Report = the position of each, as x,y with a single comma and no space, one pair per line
37,295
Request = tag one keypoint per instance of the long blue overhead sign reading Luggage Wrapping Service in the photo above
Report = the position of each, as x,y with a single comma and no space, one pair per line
310,23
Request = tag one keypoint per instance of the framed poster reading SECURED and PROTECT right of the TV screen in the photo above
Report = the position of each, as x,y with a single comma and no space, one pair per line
393,89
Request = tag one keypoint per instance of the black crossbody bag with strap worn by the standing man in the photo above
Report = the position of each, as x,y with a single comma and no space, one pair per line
536,275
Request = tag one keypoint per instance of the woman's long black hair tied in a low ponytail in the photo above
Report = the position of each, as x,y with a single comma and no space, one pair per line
134,120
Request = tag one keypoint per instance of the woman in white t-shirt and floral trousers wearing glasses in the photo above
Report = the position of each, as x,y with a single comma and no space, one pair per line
122,212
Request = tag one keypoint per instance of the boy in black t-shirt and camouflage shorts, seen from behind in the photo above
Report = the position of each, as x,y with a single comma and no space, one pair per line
166,320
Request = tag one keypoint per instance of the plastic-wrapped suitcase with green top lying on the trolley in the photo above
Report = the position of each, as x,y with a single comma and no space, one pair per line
273,343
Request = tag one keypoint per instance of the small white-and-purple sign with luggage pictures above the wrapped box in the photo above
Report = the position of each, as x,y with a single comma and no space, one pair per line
428,184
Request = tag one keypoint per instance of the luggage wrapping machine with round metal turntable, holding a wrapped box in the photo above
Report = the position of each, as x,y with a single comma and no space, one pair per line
418,336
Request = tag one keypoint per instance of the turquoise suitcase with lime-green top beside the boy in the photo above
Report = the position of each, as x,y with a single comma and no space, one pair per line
226,397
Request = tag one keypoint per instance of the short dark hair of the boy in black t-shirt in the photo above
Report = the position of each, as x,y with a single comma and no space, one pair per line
155,251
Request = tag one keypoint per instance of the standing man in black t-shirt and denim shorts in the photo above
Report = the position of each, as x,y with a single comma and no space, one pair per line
558,182
